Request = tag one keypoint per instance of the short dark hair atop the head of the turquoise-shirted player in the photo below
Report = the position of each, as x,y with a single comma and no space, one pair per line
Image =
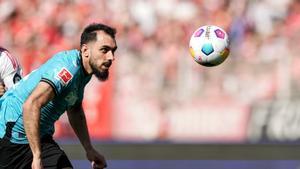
89,32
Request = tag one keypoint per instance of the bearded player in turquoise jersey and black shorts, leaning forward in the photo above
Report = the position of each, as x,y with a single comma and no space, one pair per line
29,110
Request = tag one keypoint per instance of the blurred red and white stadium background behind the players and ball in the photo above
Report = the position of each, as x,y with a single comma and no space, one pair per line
160,109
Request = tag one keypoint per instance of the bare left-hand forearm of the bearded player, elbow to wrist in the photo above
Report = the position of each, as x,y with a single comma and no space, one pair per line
31,116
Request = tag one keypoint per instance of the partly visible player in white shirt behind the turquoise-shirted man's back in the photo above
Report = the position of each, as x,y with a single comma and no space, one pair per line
10,70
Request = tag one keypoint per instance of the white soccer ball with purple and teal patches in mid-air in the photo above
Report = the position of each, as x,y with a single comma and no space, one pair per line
209,45
